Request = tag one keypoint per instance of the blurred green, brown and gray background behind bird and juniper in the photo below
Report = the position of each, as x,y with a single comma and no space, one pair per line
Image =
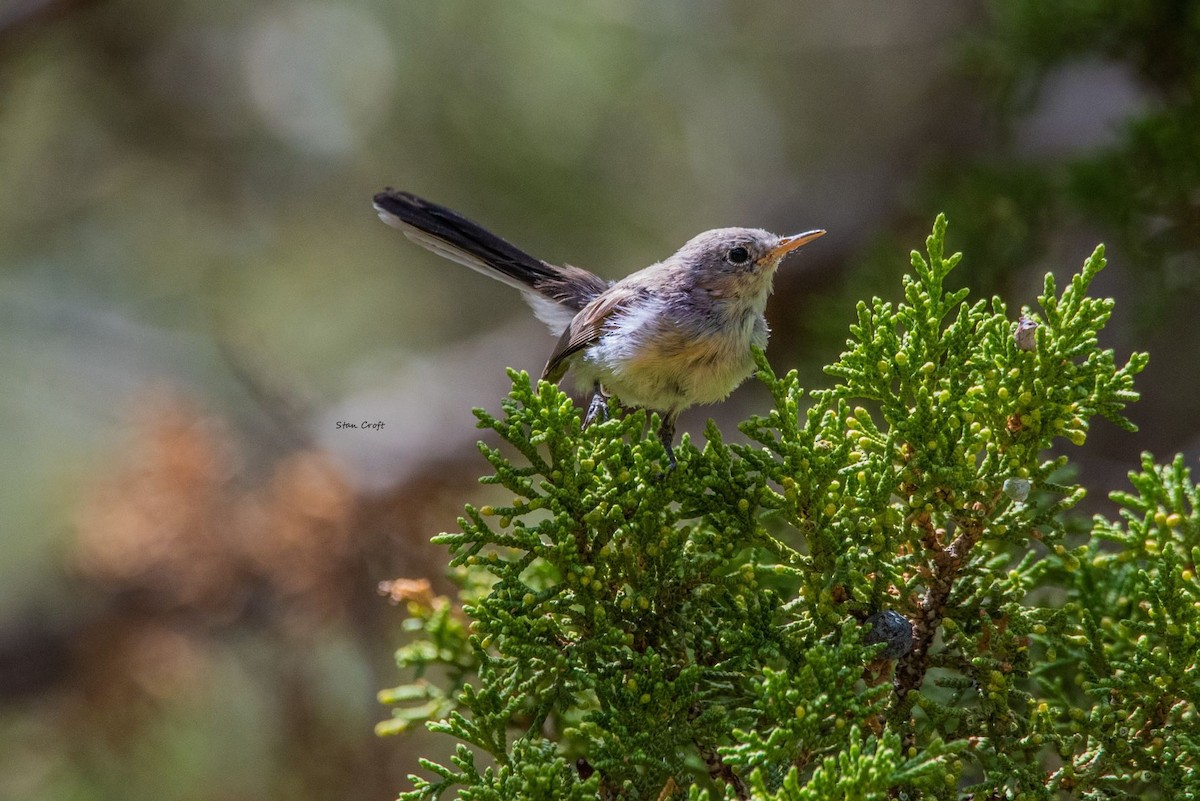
195,291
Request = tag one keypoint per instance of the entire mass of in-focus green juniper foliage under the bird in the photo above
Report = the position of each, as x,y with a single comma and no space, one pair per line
699,635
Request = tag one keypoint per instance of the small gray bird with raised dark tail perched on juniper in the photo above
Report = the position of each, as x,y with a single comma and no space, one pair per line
670,336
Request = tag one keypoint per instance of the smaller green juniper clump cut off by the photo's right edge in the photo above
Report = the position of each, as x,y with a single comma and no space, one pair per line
1136,641
